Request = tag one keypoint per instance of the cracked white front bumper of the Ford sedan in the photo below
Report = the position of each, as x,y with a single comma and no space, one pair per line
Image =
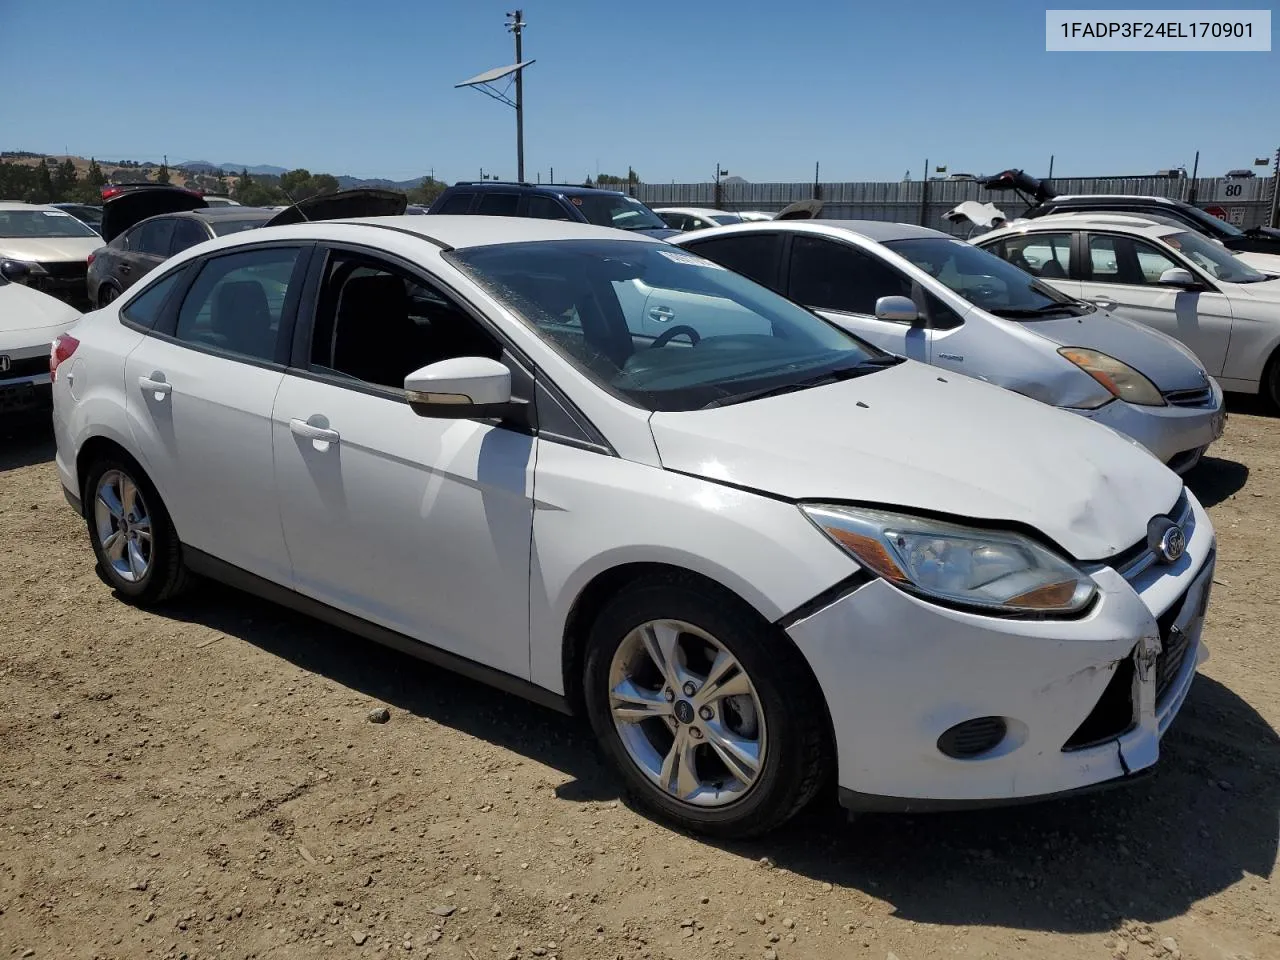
1084,703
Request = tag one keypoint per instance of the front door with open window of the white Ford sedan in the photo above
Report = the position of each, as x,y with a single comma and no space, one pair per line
419,525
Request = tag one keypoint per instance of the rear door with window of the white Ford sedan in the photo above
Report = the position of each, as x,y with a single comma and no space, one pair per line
200,392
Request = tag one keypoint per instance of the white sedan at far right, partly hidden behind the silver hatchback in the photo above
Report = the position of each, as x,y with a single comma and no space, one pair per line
1172,280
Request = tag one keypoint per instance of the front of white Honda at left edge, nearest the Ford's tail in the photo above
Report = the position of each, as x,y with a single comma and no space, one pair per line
30,323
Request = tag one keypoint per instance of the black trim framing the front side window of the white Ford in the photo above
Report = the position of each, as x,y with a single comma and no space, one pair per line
527,376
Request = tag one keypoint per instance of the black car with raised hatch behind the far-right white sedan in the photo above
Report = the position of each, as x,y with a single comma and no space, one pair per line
1045,200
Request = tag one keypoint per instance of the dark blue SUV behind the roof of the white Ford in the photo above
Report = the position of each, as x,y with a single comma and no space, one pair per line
552,202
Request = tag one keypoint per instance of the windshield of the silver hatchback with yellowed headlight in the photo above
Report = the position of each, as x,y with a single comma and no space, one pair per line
985,280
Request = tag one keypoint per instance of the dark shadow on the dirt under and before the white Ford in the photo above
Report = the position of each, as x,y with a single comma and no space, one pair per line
1150,852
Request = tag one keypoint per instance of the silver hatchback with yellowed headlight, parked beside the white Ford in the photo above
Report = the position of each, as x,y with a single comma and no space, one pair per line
924,295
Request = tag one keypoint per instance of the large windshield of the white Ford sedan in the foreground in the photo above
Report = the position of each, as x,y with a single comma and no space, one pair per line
661,327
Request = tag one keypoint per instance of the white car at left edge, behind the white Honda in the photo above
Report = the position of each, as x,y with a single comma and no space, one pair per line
49,246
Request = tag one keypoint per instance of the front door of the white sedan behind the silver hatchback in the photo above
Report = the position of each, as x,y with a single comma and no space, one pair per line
1122,273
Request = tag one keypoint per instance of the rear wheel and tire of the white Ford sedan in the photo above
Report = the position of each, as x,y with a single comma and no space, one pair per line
138,548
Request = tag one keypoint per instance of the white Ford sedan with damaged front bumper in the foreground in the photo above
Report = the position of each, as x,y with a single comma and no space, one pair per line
757,563
